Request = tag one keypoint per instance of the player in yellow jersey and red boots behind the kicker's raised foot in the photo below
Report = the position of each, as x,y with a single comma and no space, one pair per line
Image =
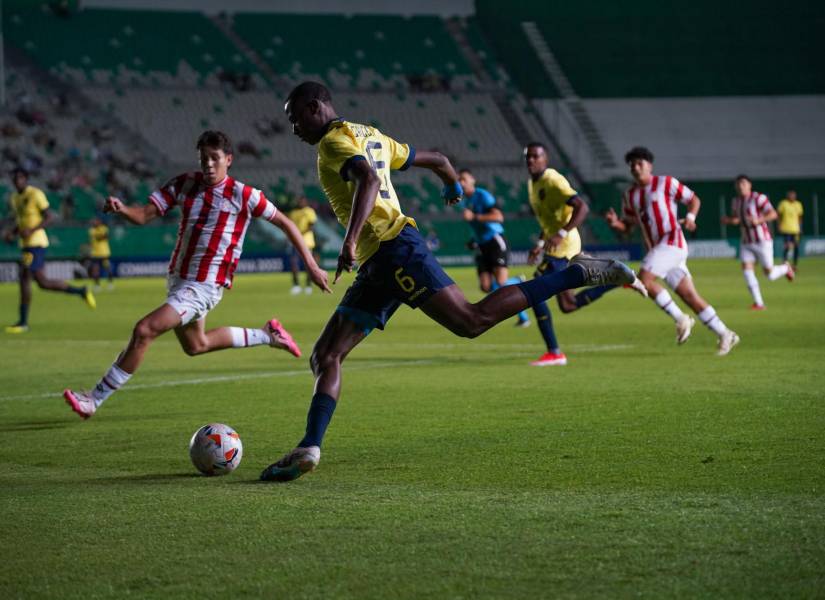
559,211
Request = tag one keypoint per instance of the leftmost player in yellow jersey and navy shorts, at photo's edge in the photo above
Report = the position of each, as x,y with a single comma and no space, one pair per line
32,215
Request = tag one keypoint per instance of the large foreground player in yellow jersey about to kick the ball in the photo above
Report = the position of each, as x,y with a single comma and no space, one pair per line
395,264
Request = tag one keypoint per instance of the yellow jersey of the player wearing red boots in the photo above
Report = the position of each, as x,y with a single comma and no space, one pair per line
548,198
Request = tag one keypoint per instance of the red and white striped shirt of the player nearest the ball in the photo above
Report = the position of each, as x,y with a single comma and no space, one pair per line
213,224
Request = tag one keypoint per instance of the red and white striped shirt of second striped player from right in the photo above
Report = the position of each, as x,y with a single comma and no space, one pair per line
653,206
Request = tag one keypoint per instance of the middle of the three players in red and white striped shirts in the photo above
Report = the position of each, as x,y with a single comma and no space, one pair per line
652,202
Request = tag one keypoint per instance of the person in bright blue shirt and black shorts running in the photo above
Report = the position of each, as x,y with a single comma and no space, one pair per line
483,215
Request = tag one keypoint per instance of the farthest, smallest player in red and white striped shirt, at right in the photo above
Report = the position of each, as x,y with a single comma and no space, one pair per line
752,211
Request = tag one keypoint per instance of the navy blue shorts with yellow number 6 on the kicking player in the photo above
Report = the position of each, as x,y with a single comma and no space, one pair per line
403,270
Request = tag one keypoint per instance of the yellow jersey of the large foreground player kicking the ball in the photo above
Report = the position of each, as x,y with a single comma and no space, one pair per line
345,142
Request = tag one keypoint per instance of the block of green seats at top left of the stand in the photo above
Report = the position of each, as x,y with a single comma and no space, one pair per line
124,46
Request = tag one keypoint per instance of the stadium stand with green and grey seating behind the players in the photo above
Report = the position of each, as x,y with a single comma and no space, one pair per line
123,94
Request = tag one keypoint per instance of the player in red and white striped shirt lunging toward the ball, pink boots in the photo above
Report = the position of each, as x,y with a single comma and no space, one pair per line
215,214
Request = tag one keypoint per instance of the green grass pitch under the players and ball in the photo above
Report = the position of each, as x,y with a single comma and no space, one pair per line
451,470
